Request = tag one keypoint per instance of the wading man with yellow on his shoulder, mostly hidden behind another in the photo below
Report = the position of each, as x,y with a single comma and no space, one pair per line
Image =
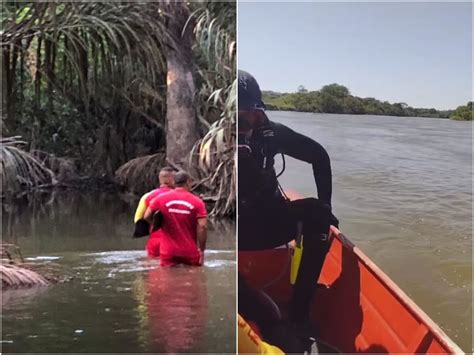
142,228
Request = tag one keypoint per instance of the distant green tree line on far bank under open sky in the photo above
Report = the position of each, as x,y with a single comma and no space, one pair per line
335,98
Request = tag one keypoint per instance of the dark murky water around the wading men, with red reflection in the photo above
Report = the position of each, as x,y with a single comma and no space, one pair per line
119,301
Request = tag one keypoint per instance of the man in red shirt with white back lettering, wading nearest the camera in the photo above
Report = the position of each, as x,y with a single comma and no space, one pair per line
184,224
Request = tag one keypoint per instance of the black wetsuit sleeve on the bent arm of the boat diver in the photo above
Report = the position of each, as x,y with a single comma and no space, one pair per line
308,150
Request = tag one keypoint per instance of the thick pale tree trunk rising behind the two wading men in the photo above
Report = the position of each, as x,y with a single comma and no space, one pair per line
181,128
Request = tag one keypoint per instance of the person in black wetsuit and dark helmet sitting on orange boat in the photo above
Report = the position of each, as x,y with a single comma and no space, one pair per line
267,219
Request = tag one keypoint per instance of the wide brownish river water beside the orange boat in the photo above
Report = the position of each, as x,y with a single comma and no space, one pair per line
402,190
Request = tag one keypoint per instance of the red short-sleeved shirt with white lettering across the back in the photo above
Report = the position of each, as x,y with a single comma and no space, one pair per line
181,210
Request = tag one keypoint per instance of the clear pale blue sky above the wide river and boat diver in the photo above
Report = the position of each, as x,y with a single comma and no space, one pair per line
418,53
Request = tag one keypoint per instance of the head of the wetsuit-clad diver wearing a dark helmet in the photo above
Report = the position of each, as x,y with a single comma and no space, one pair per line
251,107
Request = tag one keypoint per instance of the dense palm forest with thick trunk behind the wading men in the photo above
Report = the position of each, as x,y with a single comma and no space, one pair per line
112,91
